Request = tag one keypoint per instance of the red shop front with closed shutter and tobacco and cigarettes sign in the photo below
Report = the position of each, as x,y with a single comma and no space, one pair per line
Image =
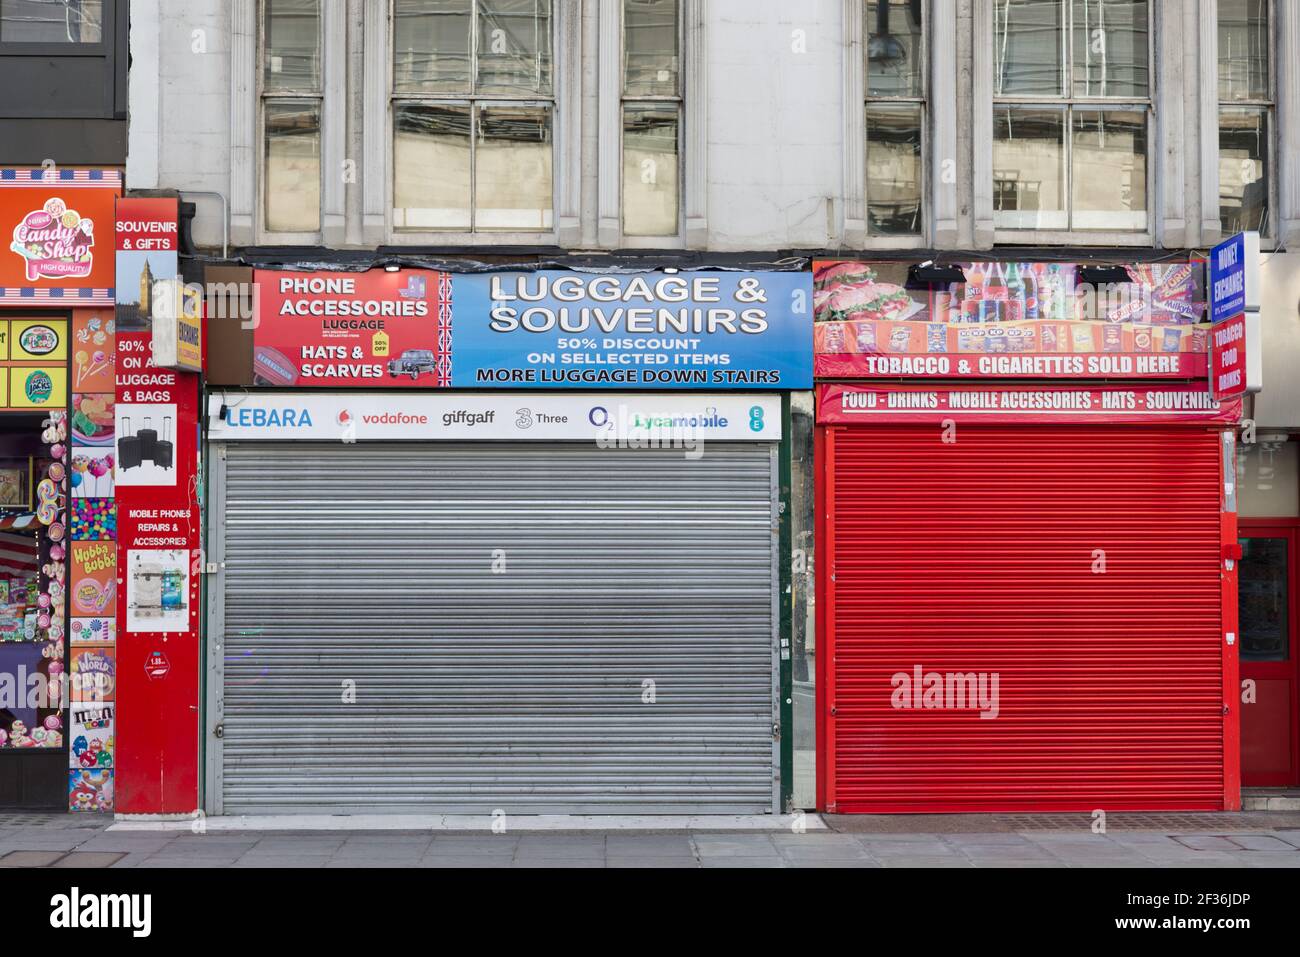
1028,597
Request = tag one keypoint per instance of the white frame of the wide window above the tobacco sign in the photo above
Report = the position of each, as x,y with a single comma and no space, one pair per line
986,232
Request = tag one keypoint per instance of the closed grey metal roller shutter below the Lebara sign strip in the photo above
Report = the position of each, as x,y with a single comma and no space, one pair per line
479,690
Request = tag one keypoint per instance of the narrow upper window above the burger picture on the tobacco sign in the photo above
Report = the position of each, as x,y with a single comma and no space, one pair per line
895,116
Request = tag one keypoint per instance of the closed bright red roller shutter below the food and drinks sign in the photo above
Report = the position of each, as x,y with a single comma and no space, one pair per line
980,557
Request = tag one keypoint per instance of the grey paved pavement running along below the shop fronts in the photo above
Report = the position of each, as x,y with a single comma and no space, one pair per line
77,842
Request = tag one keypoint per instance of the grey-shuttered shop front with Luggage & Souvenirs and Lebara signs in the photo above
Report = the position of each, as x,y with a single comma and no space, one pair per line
502,543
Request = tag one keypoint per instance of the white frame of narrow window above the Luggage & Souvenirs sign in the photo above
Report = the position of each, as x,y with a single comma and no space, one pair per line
692,135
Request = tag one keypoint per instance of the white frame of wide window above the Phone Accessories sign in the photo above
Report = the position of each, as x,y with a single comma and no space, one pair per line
378,97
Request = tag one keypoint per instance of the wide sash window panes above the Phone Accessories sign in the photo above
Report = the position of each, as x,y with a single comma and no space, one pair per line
474,115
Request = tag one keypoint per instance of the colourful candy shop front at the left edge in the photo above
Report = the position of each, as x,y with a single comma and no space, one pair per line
57,297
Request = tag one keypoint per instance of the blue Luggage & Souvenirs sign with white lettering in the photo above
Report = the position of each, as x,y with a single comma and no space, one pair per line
557,330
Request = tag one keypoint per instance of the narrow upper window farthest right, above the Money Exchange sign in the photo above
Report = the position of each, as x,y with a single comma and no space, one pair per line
1246,115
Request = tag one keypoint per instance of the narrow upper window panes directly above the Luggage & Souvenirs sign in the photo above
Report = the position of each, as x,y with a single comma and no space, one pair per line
652,118
